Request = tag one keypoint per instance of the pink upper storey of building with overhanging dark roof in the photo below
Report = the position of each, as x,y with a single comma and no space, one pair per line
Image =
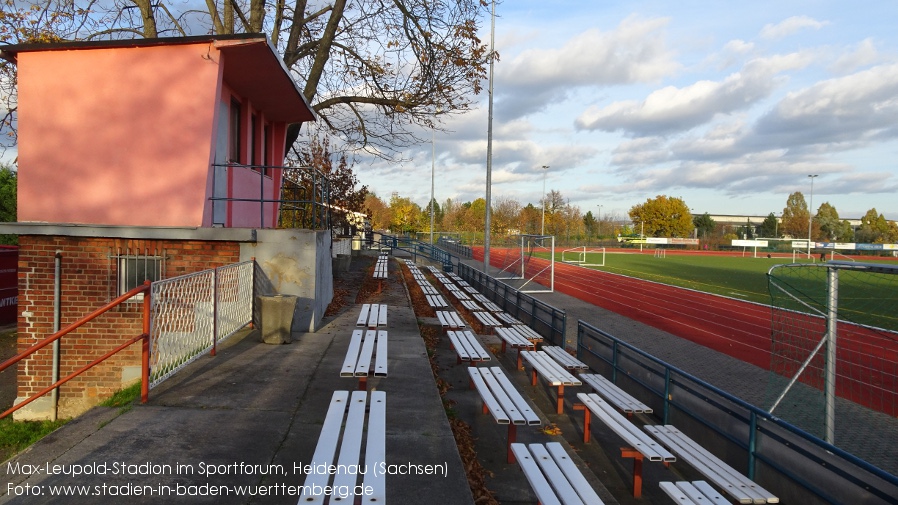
128,133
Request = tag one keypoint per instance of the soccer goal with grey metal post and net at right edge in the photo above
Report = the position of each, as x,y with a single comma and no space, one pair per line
834,340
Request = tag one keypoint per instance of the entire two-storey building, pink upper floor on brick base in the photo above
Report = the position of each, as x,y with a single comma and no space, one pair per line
150,158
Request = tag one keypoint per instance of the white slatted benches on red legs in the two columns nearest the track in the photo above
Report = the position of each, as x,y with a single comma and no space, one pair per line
548,468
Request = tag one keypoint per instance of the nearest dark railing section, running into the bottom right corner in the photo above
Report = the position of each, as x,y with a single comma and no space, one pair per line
797,466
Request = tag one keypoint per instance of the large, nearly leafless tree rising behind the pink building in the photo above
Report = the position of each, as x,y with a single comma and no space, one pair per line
374,71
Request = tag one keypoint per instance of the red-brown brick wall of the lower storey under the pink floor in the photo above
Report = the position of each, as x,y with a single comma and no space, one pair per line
88,282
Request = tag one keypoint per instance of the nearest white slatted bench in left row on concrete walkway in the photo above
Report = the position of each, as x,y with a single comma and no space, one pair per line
340,446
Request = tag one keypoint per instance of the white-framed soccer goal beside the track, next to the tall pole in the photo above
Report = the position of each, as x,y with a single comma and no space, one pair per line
519,267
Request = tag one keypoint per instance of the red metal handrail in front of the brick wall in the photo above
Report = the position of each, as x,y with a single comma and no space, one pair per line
145,348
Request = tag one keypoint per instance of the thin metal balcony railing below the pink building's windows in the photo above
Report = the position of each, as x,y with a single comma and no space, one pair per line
303,201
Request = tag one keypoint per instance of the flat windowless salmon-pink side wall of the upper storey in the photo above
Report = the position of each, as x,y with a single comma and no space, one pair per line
117,136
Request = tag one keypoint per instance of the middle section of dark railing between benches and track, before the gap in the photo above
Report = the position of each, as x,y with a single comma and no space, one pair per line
547,320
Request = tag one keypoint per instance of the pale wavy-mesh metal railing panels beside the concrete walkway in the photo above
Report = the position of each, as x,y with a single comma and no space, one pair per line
192,313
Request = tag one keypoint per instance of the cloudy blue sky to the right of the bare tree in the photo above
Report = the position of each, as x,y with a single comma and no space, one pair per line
728,105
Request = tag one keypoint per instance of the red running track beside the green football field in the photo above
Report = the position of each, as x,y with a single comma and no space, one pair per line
734,327
